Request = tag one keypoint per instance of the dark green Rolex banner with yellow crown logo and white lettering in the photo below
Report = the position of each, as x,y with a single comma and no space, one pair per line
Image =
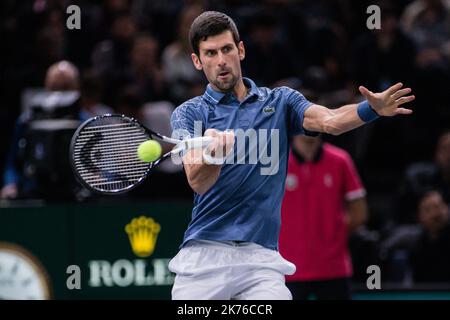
115,250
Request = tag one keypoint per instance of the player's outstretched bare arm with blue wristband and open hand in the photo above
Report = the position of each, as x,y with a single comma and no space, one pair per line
336,121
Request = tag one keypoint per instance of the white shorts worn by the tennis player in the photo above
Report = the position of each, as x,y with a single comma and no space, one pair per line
212,270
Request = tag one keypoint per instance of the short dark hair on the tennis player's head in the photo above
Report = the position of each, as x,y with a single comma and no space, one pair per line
211,23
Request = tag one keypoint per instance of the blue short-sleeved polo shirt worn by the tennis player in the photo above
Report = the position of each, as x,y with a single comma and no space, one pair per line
245,202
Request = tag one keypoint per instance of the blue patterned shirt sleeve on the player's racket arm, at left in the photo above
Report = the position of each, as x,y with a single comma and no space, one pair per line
187,121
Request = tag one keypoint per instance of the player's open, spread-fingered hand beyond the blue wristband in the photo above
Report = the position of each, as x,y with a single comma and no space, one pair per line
387,103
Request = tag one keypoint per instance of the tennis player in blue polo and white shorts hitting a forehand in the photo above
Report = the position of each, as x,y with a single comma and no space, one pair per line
230,249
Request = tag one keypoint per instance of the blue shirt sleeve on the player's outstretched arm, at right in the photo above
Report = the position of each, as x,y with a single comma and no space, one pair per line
297,105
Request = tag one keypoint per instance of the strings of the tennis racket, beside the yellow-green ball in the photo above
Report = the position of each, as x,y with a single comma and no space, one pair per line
105,154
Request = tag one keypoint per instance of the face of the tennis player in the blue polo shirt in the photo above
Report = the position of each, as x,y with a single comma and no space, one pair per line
220,60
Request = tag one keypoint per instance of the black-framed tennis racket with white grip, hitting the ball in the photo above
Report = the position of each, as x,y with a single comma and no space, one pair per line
103,153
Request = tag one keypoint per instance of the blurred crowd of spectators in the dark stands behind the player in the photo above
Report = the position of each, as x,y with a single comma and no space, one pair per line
133,57
